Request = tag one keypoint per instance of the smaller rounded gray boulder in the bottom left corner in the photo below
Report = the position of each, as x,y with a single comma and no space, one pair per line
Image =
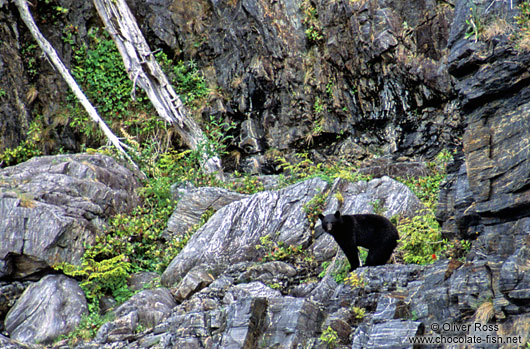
47,309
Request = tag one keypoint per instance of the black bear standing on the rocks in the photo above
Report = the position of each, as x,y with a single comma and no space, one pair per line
374,232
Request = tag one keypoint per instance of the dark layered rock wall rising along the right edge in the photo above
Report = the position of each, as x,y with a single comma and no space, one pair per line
487,195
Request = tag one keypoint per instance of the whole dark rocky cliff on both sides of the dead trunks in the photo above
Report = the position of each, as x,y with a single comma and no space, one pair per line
338,79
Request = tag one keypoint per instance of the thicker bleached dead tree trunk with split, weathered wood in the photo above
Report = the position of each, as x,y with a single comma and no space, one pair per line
144,70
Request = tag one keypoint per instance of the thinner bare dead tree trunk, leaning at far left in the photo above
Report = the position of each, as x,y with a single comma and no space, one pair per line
50,52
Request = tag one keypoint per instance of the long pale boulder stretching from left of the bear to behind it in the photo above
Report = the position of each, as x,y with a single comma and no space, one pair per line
231,235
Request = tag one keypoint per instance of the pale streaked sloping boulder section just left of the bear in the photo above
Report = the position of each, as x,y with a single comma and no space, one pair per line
232,233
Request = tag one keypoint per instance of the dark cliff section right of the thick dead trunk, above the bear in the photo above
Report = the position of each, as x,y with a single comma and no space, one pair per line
373,74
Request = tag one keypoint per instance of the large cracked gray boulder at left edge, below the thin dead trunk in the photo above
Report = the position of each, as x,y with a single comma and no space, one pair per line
51,206
